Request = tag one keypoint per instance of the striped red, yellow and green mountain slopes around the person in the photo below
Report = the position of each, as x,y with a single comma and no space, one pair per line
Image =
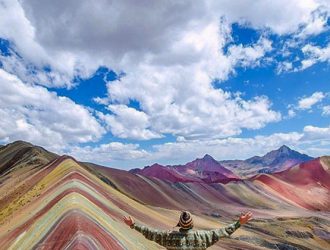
55,202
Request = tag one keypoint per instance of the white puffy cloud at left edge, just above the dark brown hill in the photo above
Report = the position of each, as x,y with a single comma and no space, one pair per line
34,114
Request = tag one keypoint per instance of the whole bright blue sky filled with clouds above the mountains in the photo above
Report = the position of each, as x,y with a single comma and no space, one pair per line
167,88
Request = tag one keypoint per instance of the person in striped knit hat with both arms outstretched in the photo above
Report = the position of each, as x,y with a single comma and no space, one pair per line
186,238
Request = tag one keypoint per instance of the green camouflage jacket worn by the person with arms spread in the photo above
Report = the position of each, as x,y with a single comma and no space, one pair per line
186,239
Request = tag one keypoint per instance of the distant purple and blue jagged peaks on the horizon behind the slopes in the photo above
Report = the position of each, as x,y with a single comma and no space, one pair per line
208,170
